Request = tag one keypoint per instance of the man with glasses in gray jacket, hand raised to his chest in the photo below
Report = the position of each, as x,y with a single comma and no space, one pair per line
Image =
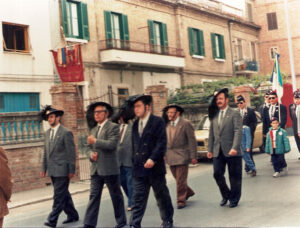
102,151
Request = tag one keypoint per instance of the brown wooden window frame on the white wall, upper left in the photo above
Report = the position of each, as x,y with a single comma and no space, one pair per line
26,38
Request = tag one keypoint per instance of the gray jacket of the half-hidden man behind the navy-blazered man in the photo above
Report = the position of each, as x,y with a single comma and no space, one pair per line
125,148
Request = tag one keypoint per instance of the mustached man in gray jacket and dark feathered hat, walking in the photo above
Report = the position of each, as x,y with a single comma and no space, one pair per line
224,146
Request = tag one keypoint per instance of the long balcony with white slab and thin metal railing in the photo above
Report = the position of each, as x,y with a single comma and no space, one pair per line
125,52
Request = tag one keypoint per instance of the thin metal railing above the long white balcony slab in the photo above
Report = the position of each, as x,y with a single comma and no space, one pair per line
139,47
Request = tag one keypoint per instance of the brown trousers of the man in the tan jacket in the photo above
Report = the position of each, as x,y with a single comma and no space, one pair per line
180,173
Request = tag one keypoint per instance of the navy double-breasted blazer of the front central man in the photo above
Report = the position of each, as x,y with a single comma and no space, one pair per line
151,145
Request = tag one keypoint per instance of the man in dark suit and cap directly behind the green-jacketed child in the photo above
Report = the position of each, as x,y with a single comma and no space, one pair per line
275,110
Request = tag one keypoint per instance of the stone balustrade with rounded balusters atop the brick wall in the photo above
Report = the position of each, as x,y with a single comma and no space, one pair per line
21,127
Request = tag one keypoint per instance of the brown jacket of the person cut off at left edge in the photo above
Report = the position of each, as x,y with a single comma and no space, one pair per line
5,183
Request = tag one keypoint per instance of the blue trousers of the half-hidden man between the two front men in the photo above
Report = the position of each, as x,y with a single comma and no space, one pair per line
126,182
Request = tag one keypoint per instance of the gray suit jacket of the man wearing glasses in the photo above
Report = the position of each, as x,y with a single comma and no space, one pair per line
106,147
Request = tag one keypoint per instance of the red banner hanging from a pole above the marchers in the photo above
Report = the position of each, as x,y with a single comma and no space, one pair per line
68,63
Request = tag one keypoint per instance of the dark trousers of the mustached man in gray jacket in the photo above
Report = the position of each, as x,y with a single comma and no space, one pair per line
235,176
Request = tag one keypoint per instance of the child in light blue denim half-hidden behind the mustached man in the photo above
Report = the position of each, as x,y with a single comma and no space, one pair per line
246,146
